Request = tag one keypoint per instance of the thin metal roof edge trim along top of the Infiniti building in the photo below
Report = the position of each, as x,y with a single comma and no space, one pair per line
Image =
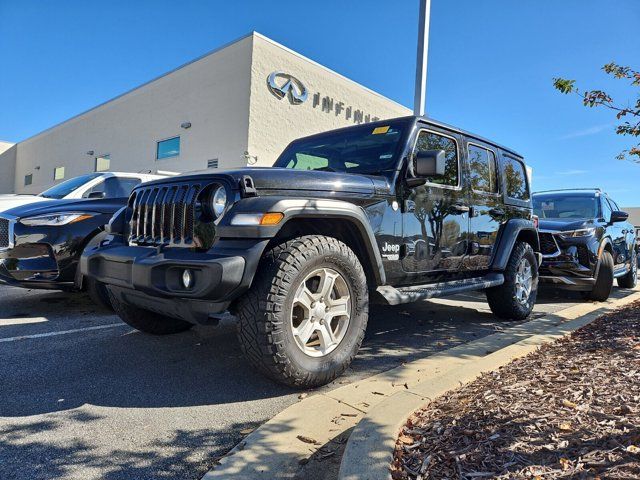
201,57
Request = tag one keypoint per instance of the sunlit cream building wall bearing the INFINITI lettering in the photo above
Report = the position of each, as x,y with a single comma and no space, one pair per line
274,122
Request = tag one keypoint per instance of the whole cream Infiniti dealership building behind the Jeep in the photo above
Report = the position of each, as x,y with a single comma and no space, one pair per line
240,104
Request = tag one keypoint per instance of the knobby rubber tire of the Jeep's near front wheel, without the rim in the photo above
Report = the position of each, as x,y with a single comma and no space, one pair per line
264,312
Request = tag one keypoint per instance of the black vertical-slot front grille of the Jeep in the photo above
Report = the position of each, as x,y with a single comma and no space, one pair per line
163,214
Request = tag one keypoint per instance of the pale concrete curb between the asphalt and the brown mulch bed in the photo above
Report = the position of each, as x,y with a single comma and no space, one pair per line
278,448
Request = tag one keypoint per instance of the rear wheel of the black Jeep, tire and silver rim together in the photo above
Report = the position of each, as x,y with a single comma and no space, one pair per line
515,298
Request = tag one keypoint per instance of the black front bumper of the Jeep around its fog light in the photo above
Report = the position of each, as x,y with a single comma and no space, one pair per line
150,278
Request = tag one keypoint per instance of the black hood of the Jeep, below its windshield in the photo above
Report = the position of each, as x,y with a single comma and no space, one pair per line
271,178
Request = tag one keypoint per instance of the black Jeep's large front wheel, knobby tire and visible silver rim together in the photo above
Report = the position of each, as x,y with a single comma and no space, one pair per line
304,318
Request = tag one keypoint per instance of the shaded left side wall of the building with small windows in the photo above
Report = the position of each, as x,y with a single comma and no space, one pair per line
212,93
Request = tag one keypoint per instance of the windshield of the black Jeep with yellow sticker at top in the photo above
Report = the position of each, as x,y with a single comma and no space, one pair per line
366,149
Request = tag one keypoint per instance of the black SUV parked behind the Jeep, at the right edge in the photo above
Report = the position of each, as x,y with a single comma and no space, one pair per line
586,242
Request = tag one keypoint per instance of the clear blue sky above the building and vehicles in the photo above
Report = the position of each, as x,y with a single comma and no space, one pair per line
491,64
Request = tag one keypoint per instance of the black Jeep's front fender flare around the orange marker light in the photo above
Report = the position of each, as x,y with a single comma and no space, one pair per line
296,208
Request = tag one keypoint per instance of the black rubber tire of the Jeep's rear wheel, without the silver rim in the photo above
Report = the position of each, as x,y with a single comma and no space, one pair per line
502,299
